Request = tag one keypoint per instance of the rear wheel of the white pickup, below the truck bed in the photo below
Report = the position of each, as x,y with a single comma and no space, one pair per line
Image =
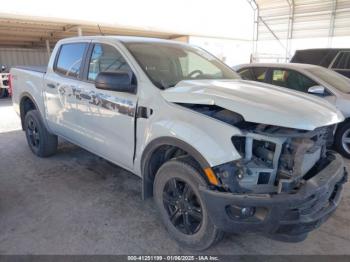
40,141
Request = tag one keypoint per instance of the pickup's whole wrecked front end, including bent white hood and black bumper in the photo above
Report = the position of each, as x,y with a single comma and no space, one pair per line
284,182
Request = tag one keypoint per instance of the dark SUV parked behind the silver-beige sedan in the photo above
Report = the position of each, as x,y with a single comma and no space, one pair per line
336,59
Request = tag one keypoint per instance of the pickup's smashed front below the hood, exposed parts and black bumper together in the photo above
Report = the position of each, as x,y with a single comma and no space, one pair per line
285,184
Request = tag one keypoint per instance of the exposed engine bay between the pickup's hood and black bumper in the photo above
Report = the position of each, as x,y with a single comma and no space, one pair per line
274,159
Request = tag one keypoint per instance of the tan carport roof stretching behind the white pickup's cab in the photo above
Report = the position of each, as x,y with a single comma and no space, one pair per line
31,33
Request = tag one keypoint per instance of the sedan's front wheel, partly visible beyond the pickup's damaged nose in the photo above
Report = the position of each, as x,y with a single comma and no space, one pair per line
342,139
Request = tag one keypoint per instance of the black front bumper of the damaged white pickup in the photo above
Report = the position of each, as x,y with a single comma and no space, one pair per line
284,216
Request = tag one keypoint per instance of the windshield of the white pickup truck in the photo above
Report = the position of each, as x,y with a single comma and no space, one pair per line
166,64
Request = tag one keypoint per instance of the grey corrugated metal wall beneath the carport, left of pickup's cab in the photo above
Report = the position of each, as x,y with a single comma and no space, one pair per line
22,56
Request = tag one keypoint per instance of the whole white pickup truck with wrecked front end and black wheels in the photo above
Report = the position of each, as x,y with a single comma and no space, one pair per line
217,153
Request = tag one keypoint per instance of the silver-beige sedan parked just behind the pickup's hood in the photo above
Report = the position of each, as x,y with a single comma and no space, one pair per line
311,79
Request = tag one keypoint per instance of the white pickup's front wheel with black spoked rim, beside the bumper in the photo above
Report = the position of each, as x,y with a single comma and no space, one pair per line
182,209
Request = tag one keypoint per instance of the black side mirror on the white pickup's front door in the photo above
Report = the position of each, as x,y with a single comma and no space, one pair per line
116,81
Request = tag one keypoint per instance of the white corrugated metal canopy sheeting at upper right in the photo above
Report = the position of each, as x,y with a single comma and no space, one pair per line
312,18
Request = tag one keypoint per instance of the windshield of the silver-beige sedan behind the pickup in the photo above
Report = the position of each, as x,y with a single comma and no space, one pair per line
332,78
